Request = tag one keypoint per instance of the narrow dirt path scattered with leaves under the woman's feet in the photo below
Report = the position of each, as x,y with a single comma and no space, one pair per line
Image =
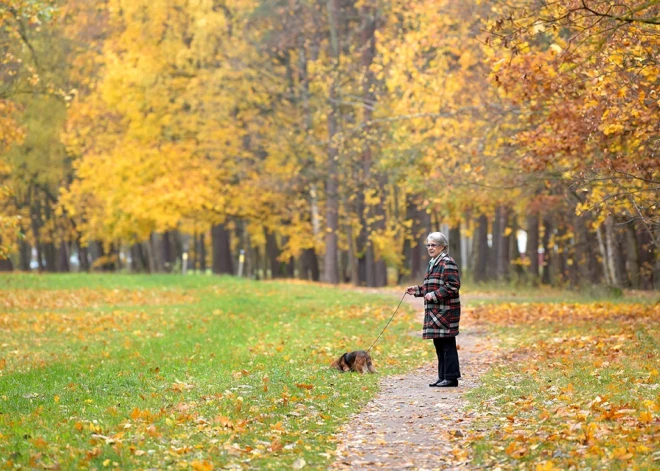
412,426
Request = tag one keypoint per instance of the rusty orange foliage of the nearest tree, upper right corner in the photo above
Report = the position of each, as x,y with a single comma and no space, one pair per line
584,105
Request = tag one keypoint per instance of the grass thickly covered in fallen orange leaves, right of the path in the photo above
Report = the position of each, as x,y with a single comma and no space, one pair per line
577,386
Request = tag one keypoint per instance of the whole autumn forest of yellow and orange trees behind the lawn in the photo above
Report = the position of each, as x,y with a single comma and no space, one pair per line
323,139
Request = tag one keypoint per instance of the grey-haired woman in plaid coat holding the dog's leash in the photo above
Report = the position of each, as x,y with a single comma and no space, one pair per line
442,308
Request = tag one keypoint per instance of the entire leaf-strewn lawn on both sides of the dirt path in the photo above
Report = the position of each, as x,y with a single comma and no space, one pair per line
201,372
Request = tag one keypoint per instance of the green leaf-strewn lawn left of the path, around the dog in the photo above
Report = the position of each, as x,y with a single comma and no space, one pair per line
197,372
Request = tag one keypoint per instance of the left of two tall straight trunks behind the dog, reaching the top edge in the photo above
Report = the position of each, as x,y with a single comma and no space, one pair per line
331,269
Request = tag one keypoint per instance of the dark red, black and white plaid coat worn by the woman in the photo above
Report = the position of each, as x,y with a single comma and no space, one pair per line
443,312
